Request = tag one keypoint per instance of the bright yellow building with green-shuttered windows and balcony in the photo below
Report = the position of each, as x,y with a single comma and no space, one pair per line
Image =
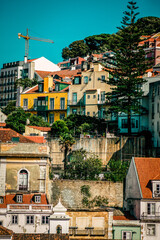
47,99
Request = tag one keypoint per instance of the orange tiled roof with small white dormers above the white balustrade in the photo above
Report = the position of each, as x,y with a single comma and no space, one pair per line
27,199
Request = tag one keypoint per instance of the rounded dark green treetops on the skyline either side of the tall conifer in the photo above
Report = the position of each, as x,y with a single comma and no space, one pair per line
103,42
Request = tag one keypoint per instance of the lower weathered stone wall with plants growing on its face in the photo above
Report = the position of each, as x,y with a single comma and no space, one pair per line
70,192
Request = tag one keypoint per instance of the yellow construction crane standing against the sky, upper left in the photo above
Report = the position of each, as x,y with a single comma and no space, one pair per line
27,38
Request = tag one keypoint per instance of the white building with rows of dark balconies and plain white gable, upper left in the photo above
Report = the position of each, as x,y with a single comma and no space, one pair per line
10,72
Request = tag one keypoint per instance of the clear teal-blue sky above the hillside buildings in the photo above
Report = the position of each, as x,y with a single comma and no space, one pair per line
61,21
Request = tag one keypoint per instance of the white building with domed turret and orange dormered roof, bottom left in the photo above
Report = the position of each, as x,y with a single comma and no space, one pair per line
31,213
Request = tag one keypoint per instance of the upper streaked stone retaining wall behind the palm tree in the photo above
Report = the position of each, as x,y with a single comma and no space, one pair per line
106,148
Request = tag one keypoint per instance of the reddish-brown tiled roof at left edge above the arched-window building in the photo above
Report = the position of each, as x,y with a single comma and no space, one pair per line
6,135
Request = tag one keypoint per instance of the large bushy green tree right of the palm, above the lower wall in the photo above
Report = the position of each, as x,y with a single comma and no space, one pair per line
84,166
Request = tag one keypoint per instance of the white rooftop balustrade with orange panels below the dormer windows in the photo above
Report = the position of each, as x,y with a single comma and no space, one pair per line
29,207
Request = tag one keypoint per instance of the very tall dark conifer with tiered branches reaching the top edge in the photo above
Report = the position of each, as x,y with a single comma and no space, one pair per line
126,80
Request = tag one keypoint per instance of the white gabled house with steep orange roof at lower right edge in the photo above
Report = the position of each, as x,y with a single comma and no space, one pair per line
142,195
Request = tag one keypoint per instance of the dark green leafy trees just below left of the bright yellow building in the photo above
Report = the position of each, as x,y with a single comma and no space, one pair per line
18,118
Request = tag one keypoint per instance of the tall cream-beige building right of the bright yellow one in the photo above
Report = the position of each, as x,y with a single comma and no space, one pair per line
87,92
